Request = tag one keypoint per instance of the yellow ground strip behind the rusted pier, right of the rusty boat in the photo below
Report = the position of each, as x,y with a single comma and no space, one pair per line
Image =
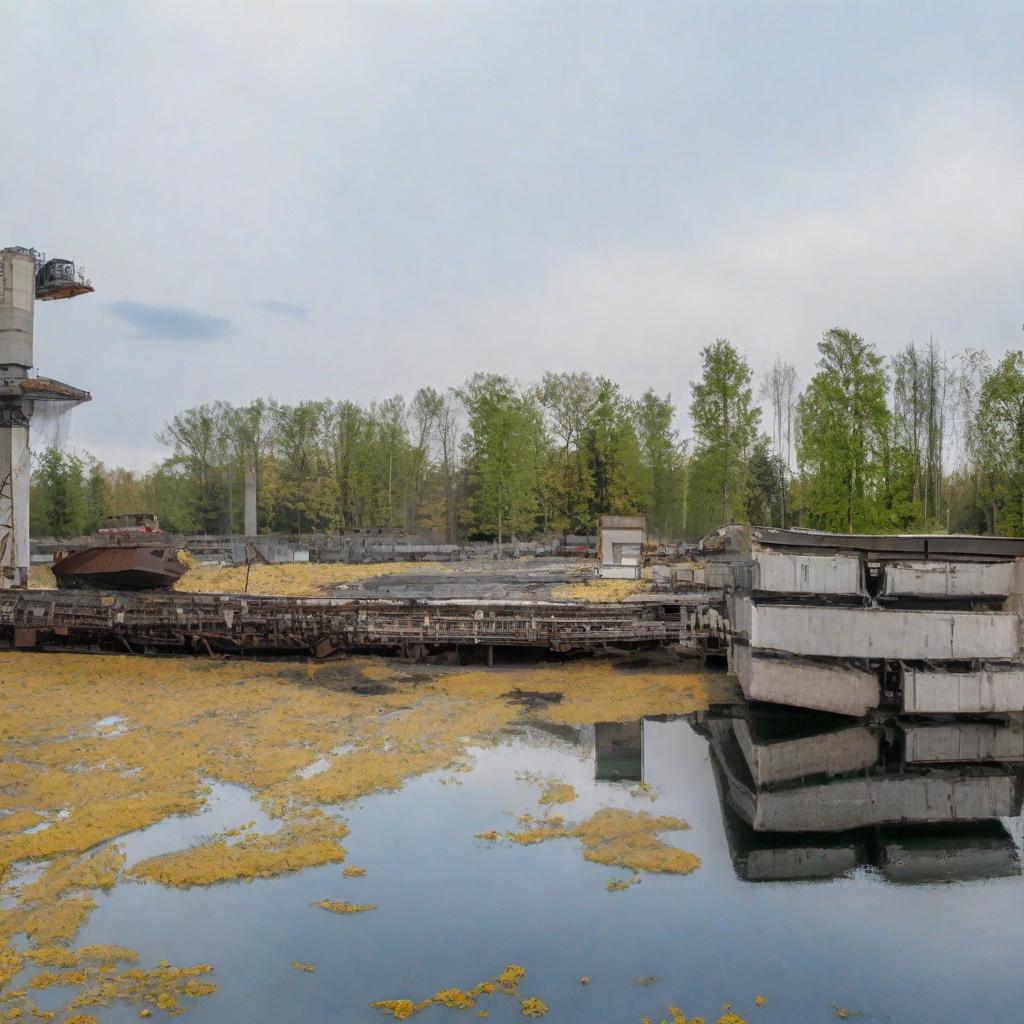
290,580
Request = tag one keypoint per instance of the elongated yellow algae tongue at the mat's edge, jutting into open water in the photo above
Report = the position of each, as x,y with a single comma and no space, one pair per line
300,844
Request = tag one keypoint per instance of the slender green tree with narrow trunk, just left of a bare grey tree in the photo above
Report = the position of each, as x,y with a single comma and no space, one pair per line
726,421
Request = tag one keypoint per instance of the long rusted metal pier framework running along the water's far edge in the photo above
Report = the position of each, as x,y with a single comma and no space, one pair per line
178,623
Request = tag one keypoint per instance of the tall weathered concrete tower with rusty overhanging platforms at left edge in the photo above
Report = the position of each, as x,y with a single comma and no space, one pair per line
25,277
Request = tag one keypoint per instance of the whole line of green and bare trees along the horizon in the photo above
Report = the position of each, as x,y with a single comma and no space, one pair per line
923,441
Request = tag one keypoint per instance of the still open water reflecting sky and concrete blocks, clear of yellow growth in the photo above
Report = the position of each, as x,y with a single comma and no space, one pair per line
897,925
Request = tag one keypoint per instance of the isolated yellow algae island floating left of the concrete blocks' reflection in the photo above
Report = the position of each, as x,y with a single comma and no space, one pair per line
622,839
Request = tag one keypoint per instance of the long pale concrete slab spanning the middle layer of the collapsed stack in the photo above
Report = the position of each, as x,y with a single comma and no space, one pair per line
879,633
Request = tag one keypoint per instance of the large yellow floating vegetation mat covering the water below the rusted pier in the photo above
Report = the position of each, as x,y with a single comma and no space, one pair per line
69,791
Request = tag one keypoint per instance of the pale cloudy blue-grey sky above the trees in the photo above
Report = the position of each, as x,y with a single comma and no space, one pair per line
353,200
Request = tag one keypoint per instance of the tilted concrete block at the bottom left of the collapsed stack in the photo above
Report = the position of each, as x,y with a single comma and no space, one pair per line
842,690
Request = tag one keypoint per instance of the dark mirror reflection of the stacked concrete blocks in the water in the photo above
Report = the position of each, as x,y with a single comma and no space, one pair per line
803,799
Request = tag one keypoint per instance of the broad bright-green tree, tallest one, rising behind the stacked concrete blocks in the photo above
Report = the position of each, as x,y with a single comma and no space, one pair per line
844,420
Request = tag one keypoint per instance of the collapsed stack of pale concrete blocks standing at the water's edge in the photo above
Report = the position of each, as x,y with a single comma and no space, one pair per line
848,623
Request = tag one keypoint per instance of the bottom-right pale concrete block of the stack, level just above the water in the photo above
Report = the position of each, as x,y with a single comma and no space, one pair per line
985,692
